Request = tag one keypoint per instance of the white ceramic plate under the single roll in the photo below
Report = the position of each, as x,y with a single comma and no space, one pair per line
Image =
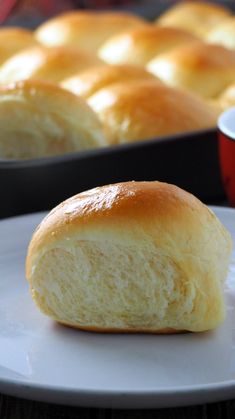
44,361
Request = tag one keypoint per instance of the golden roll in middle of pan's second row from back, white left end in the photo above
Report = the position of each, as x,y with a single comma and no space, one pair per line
139,45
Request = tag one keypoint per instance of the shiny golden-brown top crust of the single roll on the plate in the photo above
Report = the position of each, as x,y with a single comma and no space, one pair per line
142,203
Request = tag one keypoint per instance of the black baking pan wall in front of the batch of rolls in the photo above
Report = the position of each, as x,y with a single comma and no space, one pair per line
189,161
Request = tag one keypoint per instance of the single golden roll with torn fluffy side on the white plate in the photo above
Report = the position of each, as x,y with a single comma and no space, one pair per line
131,257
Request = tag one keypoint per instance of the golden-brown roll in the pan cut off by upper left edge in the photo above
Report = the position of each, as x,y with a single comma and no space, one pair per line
13,39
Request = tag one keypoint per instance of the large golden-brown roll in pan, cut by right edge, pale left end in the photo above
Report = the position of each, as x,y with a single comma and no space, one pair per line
202,68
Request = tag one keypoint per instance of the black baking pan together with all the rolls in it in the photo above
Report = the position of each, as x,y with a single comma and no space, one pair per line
92,97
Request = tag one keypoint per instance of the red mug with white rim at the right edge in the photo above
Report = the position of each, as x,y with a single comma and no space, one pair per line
226,132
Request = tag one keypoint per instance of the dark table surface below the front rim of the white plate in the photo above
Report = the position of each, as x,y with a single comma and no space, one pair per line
13,408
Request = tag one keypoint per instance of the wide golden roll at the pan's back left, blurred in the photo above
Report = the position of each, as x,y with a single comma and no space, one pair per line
85,29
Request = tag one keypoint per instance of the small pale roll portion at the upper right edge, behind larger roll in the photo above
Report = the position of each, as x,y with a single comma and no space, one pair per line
223,34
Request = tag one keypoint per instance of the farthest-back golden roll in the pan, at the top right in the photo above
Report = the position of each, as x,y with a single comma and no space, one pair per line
195,16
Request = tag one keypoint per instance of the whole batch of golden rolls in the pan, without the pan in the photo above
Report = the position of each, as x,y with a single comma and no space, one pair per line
88,79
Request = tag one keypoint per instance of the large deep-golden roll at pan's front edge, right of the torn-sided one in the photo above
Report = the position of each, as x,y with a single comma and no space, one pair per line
145,109
